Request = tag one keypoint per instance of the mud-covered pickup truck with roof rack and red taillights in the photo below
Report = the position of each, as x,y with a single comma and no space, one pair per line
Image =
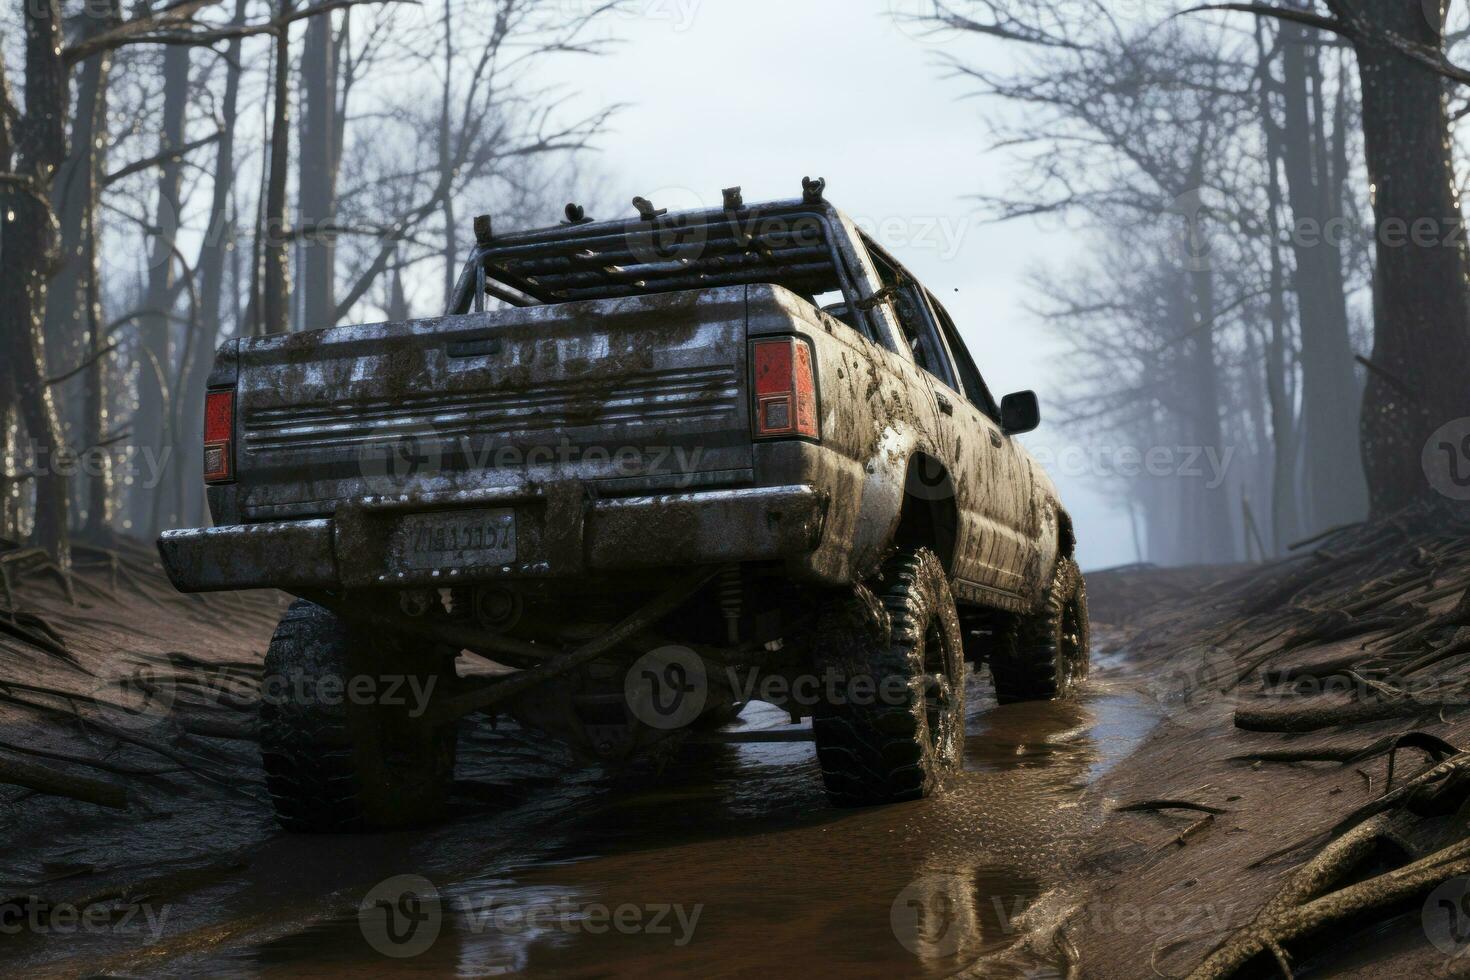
642,474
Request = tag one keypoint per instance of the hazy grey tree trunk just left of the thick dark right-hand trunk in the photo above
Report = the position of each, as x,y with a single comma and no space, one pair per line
1330,392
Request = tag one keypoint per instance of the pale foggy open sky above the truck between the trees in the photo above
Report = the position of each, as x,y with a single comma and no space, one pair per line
761,93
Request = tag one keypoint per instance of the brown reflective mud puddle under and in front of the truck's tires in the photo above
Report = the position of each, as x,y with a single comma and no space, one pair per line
727,863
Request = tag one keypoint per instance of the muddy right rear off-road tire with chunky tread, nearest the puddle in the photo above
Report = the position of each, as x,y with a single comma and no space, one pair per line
893,749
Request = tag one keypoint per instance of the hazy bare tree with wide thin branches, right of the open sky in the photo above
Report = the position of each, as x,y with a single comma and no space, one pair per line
1124,126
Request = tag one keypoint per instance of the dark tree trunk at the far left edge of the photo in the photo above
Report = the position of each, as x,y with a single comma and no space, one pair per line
27,256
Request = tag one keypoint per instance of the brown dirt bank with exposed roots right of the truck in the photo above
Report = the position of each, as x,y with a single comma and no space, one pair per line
1303,804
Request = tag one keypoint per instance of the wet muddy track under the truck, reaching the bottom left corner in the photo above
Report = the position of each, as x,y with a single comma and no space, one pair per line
727,860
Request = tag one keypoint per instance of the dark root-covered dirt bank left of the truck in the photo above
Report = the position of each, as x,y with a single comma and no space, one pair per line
129,769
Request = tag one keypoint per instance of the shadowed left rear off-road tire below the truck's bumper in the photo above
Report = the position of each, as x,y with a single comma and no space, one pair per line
345,765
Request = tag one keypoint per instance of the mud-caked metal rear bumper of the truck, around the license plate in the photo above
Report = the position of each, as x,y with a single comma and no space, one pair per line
559,536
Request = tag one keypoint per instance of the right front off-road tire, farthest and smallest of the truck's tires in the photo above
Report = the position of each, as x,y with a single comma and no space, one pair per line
1044,656
